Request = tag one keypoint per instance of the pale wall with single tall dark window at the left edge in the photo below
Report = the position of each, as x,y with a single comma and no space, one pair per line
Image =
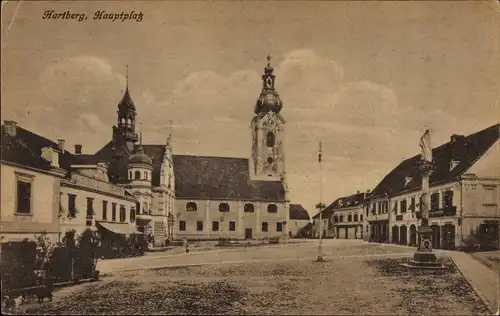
44,190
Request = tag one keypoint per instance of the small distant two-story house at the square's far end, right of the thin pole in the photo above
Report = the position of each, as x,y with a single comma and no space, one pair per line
347,216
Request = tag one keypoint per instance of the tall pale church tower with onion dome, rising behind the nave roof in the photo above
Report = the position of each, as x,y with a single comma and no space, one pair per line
268,129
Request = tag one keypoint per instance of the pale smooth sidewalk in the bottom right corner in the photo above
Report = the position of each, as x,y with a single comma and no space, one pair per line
485,281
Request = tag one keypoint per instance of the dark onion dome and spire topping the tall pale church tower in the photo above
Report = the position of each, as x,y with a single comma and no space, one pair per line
269,99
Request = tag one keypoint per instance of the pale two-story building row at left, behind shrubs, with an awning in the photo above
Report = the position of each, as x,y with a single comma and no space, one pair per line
54,191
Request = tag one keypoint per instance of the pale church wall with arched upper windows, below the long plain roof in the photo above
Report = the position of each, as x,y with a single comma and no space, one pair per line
208,211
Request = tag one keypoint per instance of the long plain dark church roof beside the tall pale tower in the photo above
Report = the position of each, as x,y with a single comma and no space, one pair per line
203,177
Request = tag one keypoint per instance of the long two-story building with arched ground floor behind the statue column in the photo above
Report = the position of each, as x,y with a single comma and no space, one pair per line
464,188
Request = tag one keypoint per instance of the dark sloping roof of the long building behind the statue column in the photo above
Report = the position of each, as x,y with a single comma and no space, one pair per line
465,149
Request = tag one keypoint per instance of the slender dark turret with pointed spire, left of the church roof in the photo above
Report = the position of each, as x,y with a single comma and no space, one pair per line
124,135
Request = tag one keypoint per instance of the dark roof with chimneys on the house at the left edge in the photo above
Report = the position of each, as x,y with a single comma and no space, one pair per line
26,149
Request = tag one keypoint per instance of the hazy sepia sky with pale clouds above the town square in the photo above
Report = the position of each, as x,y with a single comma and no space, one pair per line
364,78
